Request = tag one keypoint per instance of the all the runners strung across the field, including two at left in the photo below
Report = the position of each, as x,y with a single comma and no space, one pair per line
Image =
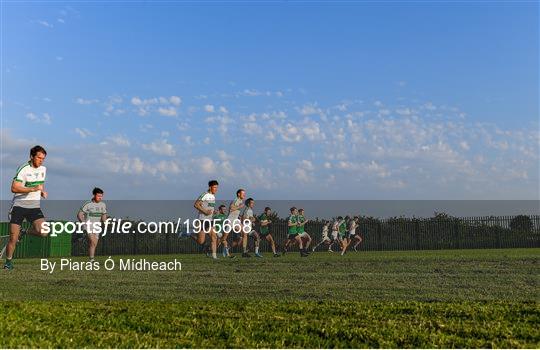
237,220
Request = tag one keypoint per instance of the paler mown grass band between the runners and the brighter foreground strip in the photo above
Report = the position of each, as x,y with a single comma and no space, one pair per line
446,276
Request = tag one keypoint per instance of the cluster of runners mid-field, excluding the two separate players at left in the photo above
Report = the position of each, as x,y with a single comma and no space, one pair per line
239,220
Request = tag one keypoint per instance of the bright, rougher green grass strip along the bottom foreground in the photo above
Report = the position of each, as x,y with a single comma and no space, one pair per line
323,324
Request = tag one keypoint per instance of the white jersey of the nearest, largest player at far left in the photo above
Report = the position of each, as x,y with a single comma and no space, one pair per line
30,177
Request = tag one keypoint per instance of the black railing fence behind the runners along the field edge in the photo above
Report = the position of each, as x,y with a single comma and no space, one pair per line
378,234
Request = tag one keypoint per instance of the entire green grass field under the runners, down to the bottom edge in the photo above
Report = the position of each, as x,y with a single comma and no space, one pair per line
465,298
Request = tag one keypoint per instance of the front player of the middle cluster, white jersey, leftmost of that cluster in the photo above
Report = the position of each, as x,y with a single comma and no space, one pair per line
205,207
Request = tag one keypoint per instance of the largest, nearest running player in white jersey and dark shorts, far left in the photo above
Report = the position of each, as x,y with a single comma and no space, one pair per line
28,189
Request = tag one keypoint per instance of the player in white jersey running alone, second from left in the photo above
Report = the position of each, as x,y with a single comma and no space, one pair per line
93,213
